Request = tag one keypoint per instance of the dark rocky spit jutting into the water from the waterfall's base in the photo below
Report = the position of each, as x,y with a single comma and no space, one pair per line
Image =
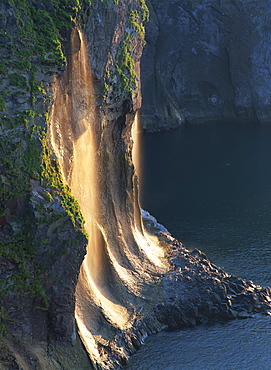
196,292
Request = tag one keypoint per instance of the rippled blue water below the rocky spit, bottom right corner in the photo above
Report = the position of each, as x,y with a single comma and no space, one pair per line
234,345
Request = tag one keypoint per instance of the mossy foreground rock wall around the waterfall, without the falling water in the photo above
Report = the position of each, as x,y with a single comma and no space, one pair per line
42,237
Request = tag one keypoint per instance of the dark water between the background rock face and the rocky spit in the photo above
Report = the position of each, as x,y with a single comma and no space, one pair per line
211,187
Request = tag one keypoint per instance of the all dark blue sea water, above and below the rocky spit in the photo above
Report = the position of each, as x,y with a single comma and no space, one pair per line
211,187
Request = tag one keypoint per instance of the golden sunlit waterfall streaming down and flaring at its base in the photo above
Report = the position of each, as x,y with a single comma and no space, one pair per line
123,263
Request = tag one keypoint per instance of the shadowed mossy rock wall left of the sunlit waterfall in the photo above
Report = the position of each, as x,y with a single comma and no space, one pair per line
42,241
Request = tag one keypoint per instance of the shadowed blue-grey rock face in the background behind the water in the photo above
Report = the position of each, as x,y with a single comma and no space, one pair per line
208,59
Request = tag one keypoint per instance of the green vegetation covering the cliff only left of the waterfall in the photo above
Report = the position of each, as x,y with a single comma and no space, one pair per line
33,46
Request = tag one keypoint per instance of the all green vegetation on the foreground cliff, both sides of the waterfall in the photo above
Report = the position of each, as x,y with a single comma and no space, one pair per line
34,47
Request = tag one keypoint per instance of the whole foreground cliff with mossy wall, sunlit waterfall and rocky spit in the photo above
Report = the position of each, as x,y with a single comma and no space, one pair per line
84,275
